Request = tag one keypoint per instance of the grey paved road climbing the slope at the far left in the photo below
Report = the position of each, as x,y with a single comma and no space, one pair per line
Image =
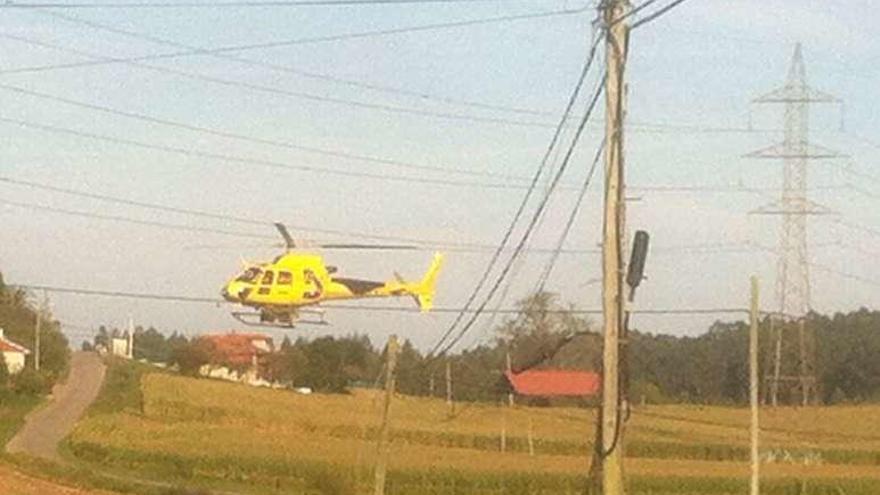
46,426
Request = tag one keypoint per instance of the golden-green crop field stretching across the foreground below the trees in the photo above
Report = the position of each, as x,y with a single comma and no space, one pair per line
226,436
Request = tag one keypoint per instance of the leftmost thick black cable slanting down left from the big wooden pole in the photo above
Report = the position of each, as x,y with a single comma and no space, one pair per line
522,206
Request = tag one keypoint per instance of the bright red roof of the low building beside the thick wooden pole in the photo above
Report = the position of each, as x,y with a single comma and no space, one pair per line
555,383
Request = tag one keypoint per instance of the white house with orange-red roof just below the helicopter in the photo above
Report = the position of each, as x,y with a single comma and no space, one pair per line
239,357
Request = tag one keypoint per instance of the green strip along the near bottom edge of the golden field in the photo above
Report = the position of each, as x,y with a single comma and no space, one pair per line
271,476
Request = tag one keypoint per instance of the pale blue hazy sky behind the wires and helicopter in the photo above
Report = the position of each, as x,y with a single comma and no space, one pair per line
424,98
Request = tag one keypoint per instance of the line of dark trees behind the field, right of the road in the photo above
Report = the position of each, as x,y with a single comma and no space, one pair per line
711,368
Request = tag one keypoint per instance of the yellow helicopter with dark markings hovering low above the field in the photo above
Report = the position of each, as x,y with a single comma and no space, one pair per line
294,283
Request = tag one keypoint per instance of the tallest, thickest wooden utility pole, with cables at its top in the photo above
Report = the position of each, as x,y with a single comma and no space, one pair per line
616,47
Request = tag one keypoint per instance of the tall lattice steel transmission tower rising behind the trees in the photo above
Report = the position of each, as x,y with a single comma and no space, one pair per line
793,369
